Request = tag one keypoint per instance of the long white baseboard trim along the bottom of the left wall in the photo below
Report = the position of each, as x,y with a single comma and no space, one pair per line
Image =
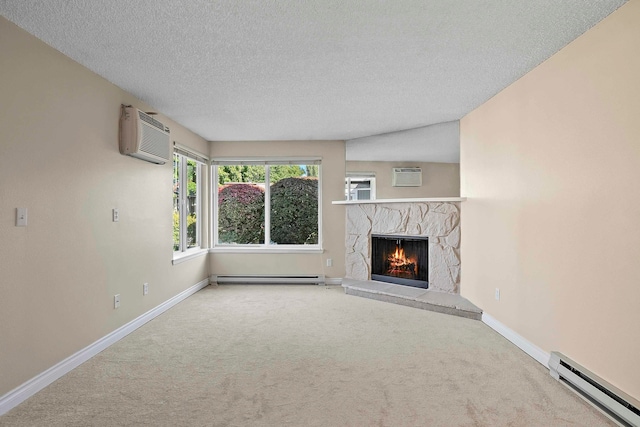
37,383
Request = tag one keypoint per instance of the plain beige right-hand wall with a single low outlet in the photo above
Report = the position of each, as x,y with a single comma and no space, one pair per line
550,166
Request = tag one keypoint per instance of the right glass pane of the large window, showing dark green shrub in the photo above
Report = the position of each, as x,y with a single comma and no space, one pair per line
294,208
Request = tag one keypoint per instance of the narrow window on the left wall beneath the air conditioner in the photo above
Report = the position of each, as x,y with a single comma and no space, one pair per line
187,173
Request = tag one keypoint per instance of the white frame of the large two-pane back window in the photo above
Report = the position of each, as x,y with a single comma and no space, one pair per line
265,247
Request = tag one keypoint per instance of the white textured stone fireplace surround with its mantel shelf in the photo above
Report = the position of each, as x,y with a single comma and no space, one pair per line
436,218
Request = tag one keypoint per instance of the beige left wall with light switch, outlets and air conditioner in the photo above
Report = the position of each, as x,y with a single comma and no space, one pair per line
59,158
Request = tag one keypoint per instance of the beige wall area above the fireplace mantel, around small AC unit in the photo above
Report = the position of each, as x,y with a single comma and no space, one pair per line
438,179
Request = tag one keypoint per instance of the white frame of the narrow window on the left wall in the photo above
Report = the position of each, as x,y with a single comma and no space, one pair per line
183,252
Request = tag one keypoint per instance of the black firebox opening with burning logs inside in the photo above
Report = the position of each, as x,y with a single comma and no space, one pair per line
403,260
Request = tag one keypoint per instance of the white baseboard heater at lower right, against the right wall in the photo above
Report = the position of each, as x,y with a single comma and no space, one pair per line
613,402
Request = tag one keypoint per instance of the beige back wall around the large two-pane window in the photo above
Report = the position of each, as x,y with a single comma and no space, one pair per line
333,216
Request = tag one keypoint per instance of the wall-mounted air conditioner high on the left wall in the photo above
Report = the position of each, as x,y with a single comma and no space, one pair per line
143,137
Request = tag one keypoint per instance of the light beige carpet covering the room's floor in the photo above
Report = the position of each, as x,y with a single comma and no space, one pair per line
309,355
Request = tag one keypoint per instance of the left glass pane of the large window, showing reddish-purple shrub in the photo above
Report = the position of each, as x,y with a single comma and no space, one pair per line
241,204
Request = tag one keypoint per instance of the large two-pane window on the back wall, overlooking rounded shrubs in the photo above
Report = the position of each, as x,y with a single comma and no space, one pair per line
271,204
